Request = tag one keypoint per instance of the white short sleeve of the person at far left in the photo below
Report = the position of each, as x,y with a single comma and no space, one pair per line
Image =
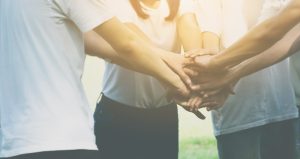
86,14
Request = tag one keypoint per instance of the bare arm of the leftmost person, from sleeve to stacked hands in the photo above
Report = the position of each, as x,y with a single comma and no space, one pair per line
138,53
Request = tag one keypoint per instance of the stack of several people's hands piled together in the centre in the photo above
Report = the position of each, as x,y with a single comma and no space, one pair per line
207,84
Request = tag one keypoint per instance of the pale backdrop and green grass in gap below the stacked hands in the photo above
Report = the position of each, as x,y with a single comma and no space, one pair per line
196,137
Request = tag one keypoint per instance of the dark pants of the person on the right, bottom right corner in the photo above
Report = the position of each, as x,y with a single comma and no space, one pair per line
271,141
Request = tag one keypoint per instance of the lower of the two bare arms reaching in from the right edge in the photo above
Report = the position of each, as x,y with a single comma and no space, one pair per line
285,47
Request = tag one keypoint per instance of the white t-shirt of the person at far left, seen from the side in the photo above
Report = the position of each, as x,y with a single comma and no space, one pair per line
42,100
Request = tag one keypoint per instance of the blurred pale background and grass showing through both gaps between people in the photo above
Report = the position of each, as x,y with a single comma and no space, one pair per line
196,136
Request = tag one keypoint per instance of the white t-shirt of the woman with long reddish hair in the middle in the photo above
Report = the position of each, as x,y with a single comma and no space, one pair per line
136,89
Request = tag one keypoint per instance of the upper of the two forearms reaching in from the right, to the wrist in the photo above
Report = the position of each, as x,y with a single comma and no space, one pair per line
261,37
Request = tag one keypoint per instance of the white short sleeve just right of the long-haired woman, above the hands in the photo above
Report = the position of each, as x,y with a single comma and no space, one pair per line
210,16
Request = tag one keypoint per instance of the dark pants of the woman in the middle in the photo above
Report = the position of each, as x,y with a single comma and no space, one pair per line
124,132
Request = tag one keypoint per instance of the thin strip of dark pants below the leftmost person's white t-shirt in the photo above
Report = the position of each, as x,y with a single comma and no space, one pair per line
75,154
